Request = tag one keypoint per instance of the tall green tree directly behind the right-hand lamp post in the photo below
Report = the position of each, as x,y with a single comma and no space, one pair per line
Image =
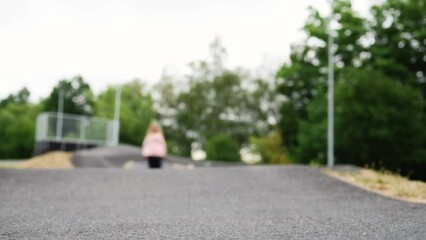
304,77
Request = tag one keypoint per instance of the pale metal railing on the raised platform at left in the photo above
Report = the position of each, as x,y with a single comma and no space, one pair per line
69,128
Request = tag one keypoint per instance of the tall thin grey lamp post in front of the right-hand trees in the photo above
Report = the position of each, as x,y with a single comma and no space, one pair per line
330,129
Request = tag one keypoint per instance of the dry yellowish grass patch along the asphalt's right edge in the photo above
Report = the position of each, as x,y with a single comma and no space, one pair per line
385,183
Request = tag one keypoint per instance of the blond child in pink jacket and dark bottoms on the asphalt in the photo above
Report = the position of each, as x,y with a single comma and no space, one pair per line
154,147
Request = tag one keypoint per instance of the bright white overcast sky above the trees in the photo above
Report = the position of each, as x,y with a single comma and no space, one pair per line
115,41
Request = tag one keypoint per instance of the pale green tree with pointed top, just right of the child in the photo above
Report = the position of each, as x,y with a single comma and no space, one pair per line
212,99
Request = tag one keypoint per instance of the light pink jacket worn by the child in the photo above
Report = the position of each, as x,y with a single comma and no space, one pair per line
154,145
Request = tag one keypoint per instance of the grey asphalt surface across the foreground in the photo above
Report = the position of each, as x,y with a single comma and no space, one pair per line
291,202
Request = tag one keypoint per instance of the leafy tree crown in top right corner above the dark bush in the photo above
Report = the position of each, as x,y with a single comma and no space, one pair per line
399,48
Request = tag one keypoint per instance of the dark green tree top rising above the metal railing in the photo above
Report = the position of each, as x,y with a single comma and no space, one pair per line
77,97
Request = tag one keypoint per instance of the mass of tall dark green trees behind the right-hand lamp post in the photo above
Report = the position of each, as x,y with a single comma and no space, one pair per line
380,86
